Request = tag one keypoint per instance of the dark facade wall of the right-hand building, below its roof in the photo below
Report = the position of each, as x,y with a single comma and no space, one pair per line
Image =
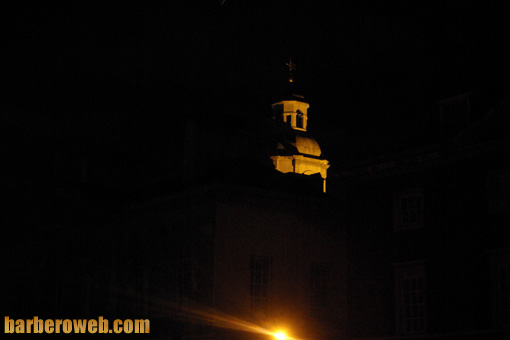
453,244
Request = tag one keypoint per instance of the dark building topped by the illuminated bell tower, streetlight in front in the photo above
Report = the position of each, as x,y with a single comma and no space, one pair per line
231,249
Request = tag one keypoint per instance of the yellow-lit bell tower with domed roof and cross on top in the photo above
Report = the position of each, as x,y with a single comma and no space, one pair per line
296,150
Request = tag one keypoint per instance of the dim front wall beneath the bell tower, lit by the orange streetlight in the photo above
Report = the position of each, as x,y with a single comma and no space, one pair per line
296,233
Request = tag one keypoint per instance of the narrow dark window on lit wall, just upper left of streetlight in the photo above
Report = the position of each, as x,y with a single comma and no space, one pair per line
260,280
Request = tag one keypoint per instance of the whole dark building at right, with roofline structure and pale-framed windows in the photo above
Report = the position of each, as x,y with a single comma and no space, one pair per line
428,237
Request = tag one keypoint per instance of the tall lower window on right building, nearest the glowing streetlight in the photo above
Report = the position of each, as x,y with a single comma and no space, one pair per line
410,298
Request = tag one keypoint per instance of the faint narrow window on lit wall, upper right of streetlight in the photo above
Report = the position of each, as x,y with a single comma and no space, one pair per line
319,289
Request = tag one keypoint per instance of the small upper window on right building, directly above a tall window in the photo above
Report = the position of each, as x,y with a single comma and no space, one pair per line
408,209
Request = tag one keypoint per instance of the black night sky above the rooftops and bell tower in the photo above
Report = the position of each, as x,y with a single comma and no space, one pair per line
125,76
